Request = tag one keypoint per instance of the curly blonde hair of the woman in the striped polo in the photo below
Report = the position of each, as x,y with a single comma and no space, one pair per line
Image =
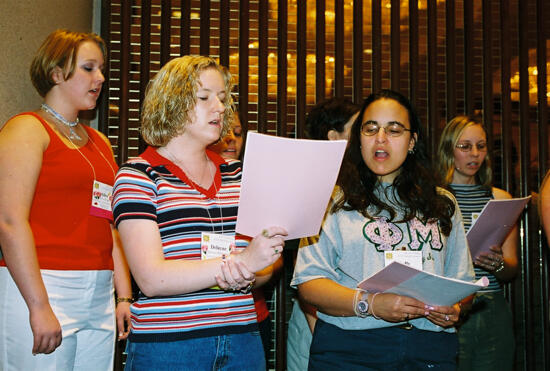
172,94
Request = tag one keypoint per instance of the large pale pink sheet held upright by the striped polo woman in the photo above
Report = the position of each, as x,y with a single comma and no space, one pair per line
287,183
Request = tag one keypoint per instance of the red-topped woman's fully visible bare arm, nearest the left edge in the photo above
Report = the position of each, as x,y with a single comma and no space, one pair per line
21,162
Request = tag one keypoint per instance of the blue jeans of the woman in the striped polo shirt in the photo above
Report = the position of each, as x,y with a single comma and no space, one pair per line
226,352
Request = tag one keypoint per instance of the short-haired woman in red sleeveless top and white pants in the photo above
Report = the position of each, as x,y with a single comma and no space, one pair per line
57,307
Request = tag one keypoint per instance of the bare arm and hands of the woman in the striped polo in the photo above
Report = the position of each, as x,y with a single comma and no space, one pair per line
157,276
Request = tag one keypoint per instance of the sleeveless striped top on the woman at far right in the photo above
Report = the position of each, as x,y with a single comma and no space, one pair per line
471,199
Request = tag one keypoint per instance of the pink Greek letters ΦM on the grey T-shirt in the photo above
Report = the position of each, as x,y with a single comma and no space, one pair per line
386,236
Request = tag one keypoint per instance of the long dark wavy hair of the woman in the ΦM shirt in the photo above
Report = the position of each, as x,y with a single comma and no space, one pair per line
415,185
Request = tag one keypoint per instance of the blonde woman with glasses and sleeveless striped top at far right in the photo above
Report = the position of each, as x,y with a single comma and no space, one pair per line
486,336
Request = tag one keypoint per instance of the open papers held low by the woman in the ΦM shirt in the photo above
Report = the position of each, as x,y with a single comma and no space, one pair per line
427,287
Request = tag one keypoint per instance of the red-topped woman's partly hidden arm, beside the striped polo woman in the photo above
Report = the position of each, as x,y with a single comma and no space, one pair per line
123,287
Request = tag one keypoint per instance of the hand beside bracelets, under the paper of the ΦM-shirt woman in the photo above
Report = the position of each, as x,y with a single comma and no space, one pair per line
396,308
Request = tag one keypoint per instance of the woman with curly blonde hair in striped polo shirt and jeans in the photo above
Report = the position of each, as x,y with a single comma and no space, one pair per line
176,208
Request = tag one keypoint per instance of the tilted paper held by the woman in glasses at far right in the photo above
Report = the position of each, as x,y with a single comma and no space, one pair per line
495,221
